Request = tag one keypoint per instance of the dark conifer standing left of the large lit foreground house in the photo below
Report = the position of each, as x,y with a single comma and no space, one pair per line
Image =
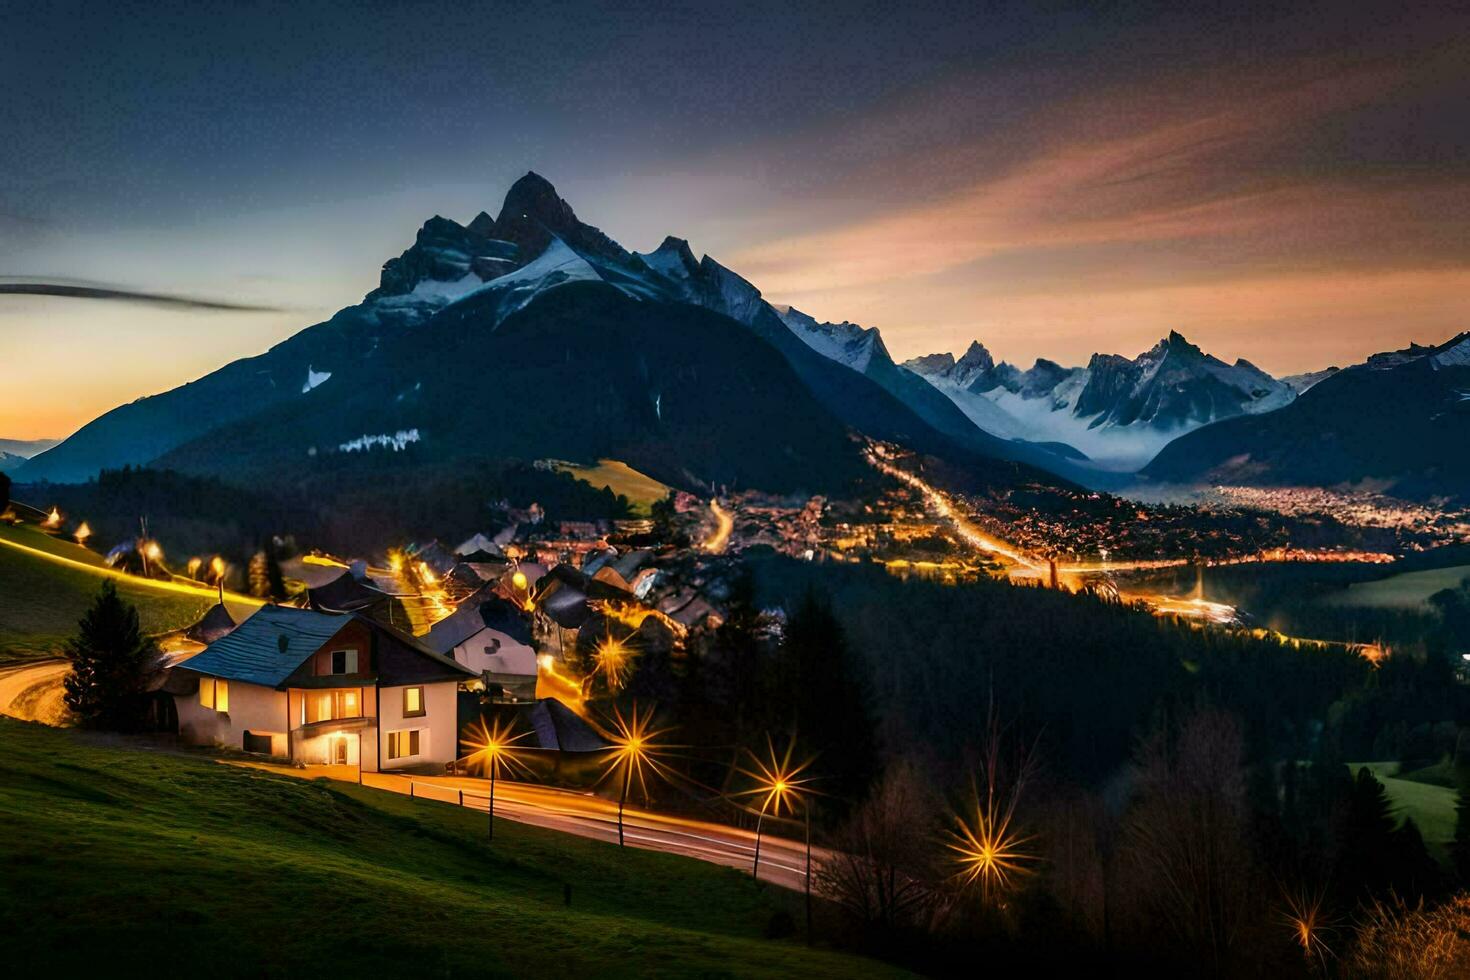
112,665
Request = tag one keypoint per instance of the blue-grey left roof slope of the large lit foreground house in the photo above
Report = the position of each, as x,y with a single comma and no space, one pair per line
270,646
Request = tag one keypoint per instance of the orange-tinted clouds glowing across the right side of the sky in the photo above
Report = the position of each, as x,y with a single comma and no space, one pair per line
1197,211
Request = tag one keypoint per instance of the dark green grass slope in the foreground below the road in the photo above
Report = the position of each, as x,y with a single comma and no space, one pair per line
127,862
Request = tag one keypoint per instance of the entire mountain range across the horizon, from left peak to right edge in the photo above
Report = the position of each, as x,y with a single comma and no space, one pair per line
533,334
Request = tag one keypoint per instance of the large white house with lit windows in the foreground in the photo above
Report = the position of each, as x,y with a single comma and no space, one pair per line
323,690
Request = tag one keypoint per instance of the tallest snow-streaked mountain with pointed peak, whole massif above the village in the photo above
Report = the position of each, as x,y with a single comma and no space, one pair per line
673,364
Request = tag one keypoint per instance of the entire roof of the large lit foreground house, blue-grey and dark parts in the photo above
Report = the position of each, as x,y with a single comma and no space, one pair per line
273,646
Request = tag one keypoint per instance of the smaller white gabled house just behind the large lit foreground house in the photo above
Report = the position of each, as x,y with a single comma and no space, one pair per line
489,635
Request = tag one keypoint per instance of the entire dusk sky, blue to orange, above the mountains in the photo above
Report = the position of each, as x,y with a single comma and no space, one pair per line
1291,187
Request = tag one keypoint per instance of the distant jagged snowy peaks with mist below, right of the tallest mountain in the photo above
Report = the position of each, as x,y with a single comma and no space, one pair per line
1118,412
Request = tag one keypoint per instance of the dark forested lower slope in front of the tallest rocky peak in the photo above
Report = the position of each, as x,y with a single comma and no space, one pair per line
675,392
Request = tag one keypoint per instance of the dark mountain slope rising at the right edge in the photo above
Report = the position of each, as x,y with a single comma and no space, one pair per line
1400,421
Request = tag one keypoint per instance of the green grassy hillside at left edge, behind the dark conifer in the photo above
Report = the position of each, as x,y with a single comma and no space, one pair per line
40,600
